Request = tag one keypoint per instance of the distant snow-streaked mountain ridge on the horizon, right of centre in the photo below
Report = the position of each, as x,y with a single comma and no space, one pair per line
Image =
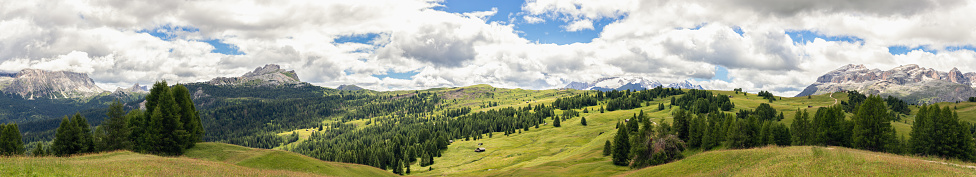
625,83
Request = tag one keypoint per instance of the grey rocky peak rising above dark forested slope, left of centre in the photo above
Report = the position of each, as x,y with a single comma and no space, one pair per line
269,75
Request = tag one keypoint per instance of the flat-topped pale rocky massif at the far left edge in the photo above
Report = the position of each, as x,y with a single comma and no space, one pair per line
35,83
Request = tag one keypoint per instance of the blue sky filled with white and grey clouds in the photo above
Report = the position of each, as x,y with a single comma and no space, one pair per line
780,46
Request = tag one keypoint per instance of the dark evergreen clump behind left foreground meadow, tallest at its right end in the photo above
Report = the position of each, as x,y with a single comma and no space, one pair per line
169,126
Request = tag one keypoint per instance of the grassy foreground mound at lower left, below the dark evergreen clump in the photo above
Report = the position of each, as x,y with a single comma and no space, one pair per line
206,159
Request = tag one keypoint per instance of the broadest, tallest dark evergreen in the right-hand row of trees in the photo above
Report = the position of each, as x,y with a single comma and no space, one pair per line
871,125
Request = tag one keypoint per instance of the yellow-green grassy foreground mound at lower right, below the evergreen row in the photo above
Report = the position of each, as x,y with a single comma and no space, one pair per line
804,161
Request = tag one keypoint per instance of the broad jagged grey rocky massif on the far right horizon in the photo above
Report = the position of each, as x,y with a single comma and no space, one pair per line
910,82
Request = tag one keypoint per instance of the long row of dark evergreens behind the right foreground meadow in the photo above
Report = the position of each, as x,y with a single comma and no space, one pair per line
936,132
